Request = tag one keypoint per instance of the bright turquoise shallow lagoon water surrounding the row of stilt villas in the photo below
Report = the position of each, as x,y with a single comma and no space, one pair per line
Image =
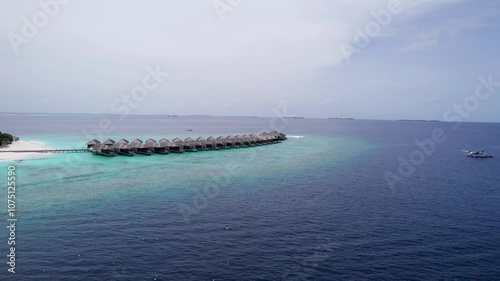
72,177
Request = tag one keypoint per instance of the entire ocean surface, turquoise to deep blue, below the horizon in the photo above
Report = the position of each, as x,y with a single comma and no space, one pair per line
338,200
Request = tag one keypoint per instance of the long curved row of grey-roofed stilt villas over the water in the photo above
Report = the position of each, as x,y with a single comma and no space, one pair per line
164,146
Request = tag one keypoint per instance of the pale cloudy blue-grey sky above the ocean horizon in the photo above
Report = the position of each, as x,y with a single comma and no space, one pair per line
377,59
